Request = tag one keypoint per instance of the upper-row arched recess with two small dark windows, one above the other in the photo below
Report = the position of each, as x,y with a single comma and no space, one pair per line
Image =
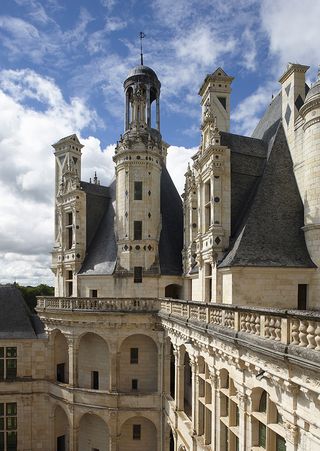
138,365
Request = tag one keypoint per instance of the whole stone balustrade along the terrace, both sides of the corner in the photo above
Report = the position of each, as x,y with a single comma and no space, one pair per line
289,327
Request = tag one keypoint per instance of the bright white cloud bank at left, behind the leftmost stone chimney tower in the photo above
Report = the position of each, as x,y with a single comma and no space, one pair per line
27,168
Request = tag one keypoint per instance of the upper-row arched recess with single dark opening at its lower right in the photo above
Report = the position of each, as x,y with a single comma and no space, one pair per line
93,359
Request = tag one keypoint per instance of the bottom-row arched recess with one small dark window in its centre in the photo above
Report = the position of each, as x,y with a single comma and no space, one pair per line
138,434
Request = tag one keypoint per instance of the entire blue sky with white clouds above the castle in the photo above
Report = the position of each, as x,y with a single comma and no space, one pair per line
62,68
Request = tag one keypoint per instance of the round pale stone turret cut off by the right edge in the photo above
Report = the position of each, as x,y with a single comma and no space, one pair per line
310,113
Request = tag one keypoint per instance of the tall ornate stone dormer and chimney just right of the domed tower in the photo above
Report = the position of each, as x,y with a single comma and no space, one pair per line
207,199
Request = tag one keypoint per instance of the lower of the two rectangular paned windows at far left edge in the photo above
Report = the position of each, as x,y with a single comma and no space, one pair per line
8,426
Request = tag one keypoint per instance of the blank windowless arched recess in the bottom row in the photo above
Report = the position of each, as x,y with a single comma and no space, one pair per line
93,433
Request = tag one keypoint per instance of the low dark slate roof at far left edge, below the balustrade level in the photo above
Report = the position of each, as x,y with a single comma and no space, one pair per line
16,320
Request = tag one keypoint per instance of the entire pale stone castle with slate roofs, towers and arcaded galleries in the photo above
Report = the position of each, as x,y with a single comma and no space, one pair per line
177,324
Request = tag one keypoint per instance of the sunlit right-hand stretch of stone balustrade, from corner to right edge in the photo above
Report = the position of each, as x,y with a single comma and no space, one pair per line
290,327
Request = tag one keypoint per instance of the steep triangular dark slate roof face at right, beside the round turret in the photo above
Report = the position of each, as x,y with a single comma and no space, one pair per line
270,233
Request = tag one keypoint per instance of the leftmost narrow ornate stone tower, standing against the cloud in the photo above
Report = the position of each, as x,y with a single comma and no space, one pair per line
70,225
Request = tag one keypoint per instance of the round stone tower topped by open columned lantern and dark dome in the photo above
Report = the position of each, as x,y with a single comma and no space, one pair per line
139,156
